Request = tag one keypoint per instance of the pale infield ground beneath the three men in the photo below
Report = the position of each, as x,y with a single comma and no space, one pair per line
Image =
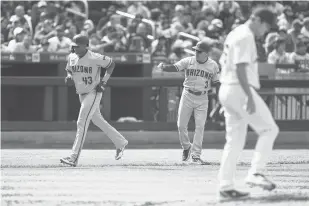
142,177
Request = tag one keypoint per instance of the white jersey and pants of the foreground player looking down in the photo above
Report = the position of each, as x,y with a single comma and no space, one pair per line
239,47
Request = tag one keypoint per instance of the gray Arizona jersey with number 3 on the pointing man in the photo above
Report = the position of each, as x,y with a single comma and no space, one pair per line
198,76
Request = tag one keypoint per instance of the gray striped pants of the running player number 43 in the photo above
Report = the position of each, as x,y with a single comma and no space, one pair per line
90,110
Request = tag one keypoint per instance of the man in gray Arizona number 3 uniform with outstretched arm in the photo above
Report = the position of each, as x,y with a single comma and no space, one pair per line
200,72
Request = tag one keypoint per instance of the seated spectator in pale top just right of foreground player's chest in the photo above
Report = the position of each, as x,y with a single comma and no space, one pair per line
278,55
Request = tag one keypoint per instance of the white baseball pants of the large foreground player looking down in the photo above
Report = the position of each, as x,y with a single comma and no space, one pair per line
233,99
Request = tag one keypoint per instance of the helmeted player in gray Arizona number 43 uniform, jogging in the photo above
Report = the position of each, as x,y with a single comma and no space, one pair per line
84,68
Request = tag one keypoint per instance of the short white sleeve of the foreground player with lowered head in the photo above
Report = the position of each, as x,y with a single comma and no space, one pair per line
242,51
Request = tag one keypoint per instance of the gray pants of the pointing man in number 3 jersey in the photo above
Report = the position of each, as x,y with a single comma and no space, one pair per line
199,105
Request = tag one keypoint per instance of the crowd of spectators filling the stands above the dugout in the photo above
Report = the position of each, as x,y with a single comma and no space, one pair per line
49,26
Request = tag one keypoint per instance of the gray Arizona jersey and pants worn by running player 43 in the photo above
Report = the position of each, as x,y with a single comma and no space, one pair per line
86,75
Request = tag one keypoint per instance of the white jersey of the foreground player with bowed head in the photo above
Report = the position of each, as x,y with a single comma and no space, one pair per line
239,47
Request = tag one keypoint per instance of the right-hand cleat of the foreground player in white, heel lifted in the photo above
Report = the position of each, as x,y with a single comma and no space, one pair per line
259,180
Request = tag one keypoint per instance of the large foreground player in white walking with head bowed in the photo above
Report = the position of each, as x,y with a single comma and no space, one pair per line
243,106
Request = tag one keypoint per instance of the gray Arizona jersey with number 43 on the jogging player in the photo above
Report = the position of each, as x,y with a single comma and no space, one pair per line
86,70
